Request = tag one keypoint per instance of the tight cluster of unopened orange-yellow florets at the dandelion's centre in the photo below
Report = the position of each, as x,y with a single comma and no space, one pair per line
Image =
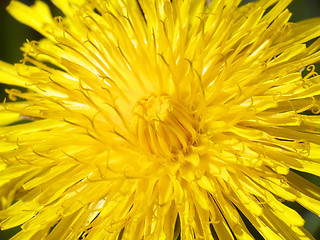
163,126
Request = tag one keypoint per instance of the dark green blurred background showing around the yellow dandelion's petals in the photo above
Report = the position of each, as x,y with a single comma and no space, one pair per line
13,35
